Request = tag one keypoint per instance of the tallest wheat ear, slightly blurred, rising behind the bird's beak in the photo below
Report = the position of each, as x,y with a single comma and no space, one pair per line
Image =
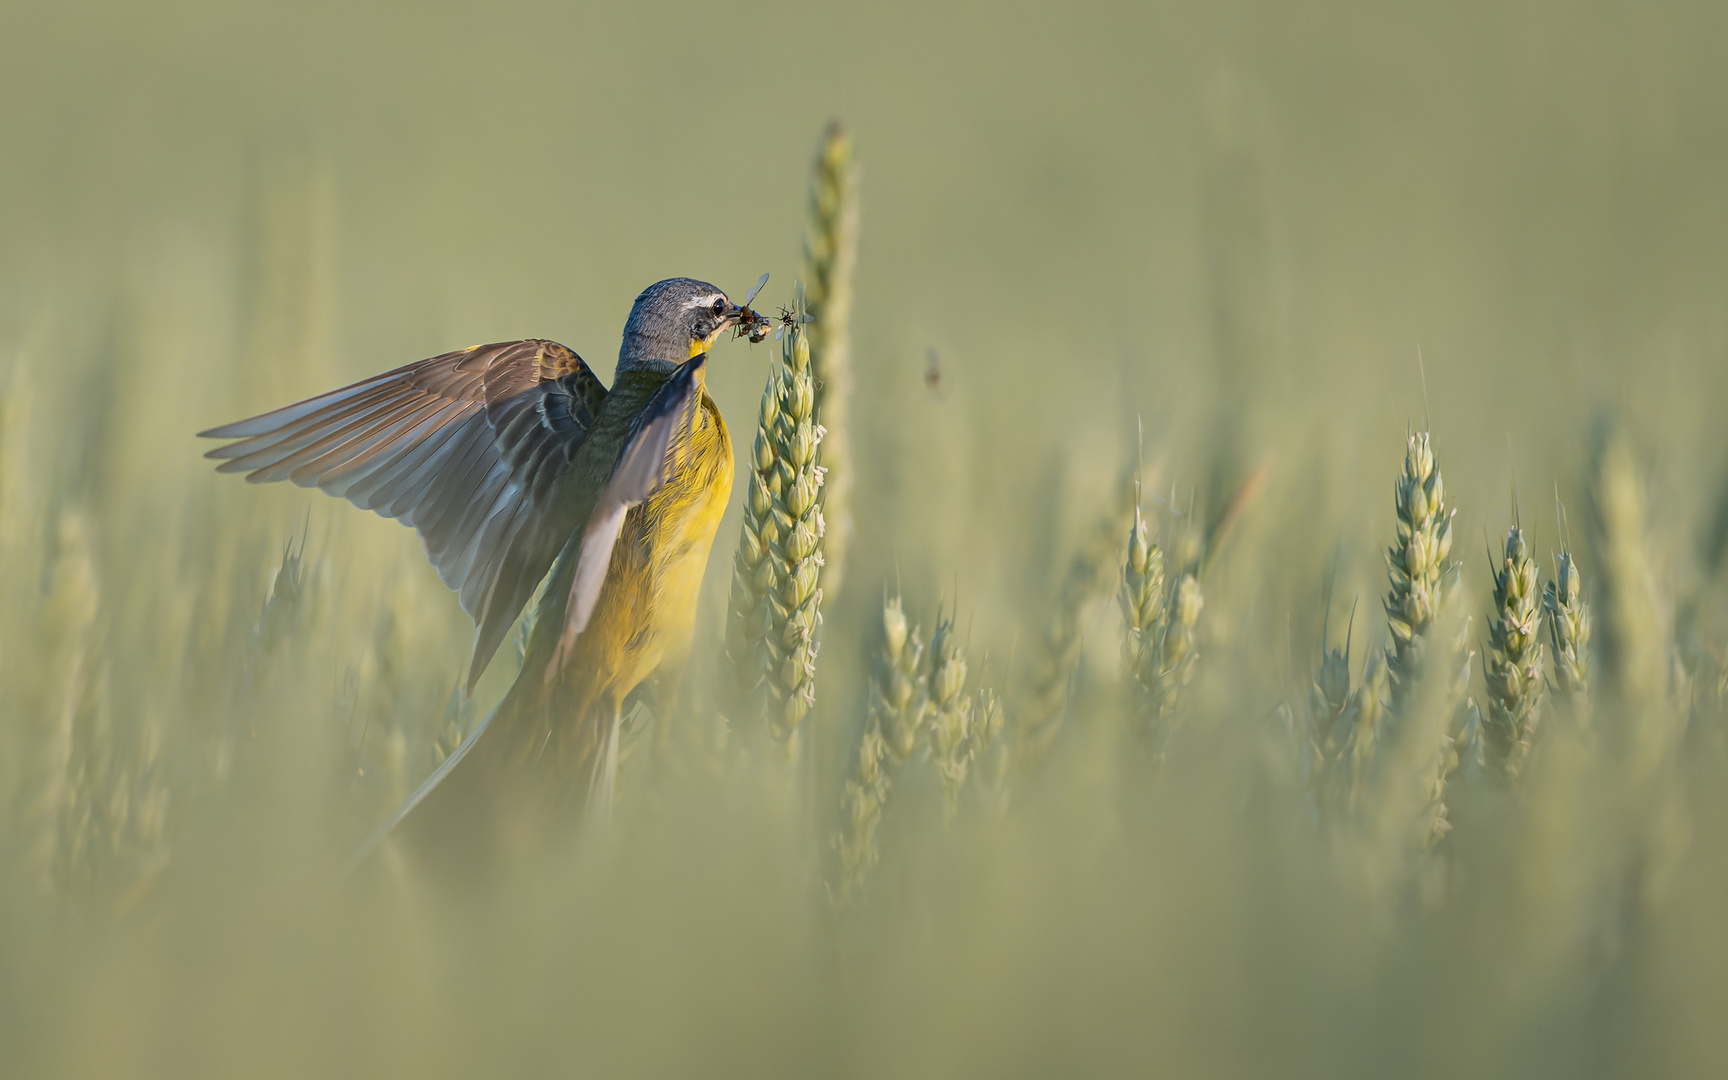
830,253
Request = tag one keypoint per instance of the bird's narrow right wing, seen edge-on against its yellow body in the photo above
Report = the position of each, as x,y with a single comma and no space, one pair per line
642,469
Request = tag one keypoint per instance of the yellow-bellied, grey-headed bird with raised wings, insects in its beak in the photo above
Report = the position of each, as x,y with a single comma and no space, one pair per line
512,461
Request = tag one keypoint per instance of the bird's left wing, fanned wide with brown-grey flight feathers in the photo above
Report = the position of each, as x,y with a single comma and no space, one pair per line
467,448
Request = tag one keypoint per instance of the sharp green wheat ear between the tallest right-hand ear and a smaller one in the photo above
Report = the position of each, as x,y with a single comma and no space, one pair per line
1513,663
